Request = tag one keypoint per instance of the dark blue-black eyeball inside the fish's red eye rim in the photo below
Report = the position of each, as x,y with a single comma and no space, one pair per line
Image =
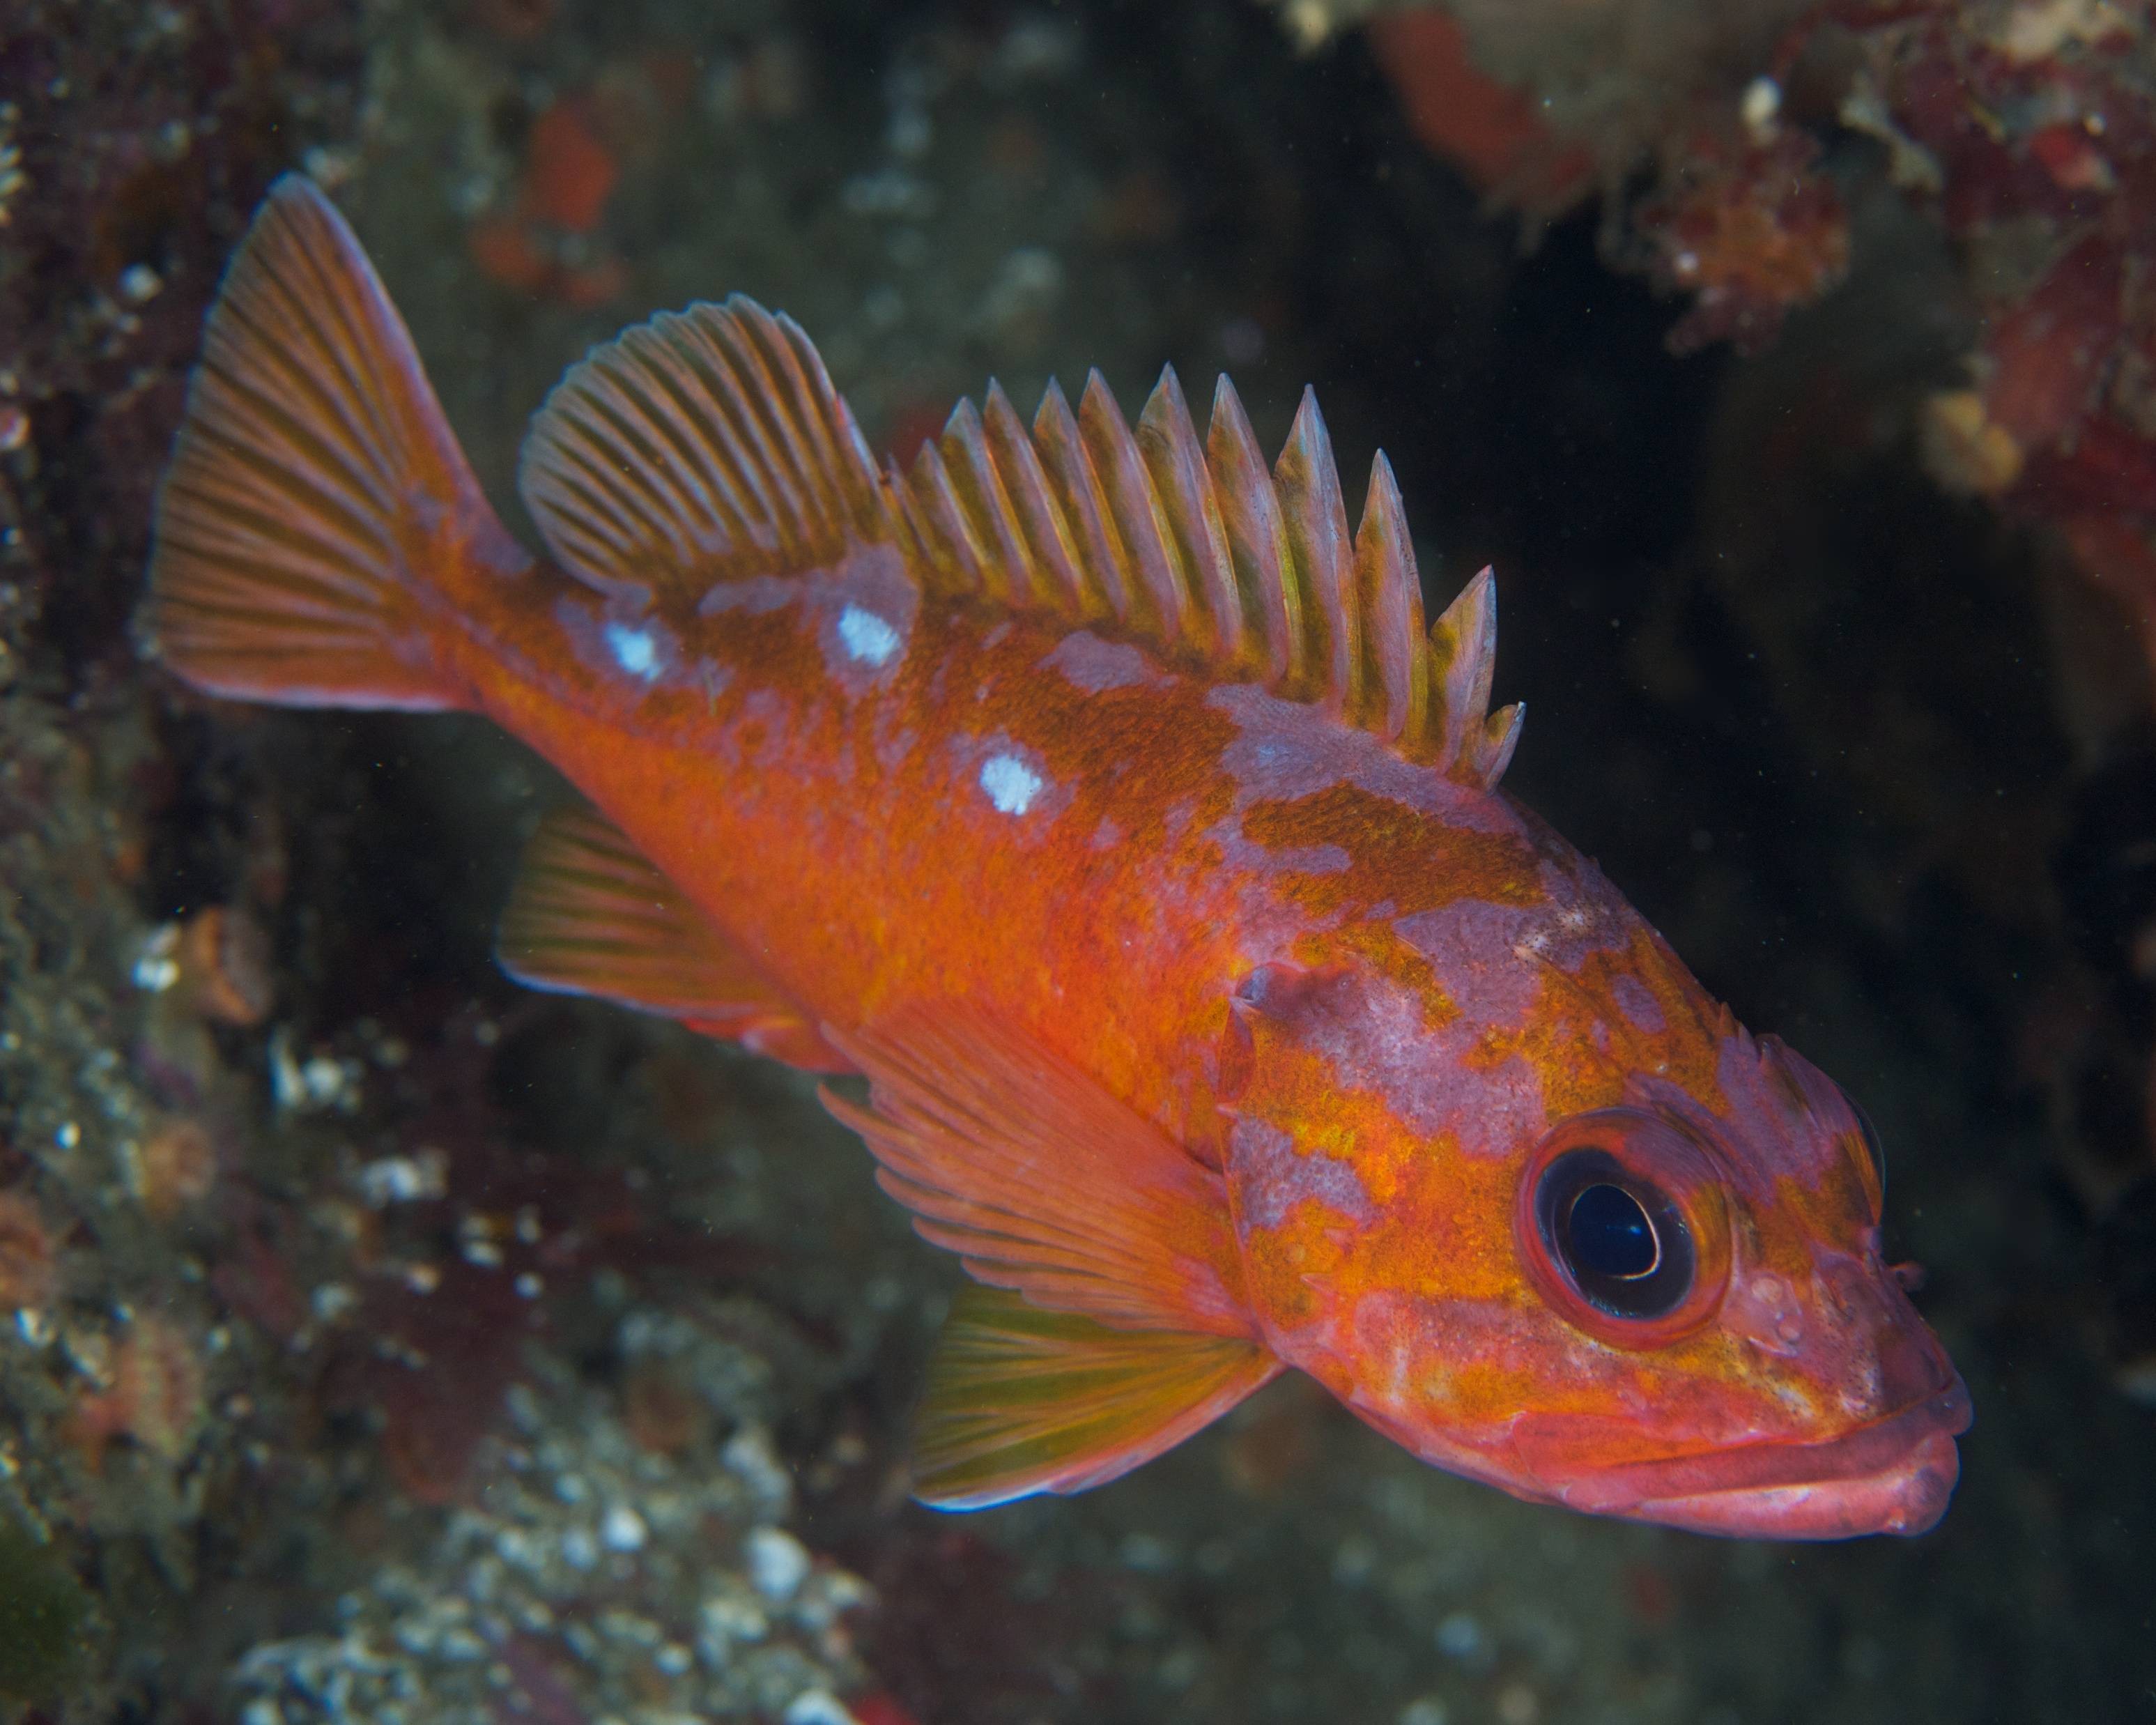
1620,1239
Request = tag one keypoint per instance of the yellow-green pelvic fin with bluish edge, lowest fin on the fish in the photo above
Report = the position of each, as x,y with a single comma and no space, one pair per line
1025,1400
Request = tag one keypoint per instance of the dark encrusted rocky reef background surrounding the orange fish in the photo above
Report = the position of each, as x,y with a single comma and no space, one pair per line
385,1344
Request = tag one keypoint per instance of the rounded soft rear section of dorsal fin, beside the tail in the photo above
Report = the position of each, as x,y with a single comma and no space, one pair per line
702,445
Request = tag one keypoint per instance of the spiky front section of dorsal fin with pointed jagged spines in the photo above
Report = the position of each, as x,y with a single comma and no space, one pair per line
1202,555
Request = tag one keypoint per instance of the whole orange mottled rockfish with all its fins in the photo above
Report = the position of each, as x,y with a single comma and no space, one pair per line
1105,803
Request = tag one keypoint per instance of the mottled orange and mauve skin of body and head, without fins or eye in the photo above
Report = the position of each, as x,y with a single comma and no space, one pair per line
1362,991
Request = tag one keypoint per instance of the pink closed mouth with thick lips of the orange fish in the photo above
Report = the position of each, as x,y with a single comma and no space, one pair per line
1890,1476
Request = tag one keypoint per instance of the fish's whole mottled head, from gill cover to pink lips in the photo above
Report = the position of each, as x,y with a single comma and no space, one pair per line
1666,1306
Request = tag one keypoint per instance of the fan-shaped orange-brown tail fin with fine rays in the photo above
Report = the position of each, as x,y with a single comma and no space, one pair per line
316,486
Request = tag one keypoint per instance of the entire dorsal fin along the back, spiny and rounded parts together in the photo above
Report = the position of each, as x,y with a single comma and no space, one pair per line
710,445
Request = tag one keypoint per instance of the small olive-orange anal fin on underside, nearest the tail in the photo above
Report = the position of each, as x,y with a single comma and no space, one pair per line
592,915
